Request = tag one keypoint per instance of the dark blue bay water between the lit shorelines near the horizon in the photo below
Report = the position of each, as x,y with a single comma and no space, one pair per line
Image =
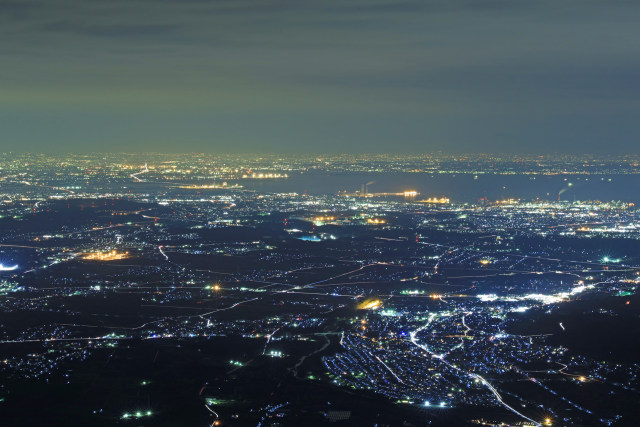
464,187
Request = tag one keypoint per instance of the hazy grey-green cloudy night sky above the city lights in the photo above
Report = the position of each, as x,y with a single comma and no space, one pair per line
320,76
